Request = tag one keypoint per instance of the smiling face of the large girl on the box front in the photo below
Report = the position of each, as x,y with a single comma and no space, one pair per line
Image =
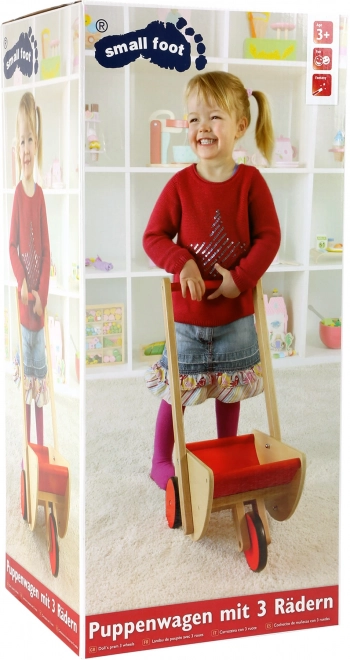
212,131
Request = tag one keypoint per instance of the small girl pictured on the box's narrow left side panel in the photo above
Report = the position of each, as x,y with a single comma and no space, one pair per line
30,258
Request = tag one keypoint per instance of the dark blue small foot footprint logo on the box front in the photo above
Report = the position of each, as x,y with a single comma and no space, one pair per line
163,44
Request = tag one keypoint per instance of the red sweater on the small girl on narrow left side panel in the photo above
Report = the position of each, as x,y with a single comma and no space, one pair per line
30,251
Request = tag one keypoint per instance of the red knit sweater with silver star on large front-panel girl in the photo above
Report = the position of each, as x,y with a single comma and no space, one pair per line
233,223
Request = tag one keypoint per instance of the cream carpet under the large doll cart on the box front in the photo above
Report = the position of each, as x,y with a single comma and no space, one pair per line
134,560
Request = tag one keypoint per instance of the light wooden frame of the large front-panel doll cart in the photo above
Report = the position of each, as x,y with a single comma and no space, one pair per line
196,479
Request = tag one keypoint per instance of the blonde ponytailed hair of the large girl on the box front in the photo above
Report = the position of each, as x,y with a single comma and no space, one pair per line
230,94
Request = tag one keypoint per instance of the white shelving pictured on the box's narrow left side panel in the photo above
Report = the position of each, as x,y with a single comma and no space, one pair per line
57,96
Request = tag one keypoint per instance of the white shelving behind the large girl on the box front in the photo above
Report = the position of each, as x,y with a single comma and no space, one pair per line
121,188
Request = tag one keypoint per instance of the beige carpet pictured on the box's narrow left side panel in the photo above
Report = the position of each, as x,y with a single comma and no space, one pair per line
28,547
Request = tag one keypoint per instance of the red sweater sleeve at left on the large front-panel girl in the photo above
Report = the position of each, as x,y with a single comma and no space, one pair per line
162,228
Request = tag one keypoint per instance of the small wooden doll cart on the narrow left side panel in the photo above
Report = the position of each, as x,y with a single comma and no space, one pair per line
45,473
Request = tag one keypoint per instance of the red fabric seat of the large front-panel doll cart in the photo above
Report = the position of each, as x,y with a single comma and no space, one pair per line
236,466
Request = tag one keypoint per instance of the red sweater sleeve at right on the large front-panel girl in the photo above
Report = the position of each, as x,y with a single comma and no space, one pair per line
265,235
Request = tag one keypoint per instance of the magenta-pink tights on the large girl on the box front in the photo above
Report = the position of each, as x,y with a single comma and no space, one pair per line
227,416
